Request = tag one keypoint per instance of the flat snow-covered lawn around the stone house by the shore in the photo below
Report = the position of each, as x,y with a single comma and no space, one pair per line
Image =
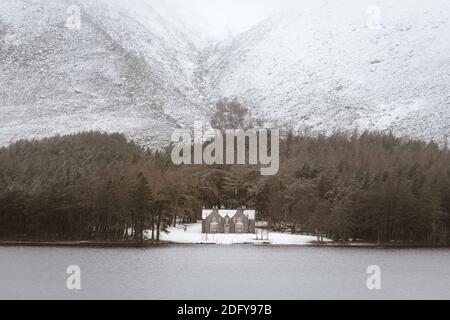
194,235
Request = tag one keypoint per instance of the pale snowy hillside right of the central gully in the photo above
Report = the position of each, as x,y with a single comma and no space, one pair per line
321,66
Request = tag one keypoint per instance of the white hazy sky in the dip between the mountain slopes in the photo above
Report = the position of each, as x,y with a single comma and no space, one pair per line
222,17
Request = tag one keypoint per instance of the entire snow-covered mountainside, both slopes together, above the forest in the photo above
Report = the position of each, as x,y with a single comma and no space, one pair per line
316,66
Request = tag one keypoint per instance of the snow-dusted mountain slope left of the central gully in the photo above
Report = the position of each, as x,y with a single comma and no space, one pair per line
126,69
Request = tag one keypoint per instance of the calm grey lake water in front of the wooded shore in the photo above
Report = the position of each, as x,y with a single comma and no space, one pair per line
224,272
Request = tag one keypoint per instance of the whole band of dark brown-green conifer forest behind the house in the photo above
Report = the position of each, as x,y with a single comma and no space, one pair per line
93,186
